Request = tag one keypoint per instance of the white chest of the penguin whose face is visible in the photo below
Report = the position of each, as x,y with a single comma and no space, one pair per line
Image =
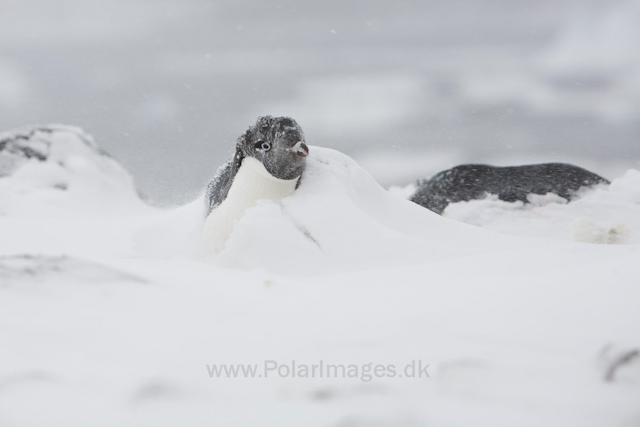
252,183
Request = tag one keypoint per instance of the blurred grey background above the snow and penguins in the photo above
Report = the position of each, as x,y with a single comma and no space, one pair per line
406,87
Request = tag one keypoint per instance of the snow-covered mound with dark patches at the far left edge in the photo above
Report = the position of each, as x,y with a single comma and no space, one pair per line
51,169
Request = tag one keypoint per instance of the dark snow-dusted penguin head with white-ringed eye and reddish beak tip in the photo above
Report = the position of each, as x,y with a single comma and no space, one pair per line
278,143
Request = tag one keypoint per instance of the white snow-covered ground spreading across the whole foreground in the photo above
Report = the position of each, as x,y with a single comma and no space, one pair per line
112,320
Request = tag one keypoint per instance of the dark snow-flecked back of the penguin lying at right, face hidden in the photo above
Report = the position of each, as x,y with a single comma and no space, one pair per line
510,184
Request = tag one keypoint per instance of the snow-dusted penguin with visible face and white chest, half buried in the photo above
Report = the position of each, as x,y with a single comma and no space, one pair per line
268,163
